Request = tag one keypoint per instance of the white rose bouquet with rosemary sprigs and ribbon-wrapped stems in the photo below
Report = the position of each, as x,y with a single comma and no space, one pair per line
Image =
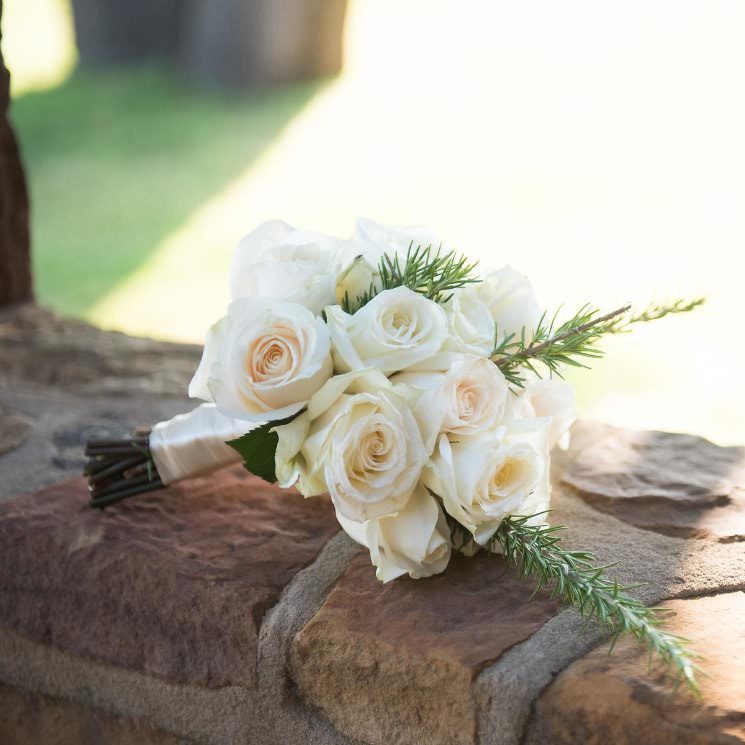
419,393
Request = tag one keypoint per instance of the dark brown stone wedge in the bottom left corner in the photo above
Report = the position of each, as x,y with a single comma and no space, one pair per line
32,719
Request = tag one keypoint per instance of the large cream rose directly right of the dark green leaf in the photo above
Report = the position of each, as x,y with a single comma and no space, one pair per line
359,441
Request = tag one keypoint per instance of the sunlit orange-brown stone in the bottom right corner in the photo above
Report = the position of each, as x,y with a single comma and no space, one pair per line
618,699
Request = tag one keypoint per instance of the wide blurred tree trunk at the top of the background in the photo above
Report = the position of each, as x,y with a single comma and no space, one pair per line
217,43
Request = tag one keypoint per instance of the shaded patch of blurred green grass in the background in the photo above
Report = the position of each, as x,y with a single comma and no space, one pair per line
118,160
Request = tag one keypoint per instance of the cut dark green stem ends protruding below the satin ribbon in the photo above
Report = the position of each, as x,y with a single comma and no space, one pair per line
118,469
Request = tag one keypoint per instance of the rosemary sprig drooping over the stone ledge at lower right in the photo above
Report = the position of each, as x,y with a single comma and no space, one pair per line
575,579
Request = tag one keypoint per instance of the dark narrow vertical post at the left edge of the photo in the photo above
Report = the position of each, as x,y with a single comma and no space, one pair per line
15,257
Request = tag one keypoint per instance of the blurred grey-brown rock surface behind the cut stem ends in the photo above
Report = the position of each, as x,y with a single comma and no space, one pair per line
69,381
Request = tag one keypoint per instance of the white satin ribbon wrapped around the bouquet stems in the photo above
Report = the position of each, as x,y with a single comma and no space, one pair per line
193,444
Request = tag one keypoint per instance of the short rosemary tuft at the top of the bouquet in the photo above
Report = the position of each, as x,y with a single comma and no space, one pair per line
431,272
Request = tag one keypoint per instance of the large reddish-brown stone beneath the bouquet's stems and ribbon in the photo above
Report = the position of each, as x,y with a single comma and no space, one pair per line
174,583
